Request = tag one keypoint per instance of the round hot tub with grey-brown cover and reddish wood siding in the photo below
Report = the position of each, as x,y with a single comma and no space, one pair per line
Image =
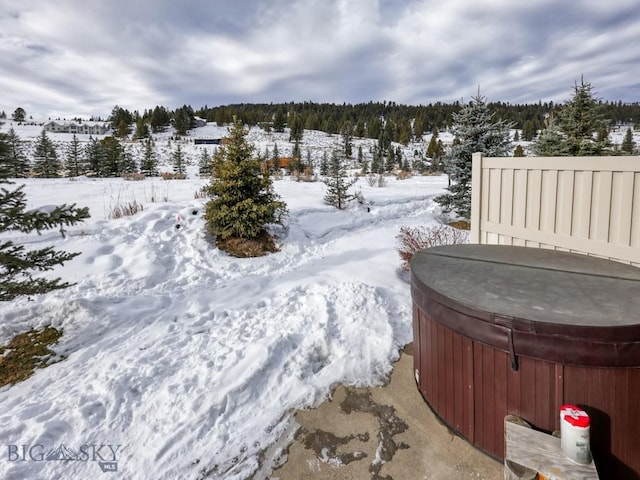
511,330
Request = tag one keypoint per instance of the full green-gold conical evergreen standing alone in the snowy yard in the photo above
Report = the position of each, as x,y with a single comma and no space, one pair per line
243,202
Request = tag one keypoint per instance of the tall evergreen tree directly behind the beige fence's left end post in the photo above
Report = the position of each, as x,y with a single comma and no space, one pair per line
477,132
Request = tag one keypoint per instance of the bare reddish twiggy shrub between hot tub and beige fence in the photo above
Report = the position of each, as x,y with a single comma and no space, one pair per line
413,239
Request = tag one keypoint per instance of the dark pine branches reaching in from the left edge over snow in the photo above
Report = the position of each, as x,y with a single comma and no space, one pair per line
18,265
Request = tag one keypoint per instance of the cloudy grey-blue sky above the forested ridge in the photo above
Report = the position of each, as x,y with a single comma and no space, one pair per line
82,57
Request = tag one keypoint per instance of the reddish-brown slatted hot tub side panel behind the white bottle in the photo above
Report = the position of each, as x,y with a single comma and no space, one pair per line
597,390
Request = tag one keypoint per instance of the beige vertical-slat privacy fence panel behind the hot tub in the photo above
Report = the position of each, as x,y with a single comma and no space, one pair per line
589,205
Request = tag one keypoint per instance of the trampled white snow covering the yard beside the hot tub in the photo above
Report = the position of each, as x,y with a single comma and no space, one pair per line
183,362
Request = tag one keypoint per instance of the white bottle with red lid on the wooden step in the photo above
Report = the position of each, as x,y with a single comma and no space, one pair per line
574,434
